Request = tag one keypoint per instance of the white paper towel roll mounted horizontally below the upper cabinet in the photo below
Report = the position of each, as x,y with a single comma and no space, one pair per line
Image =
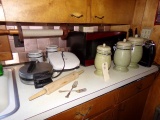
41,32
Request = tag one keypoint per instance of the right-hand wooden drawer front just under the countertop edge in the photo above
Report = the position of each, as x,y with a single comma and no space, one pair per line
133,88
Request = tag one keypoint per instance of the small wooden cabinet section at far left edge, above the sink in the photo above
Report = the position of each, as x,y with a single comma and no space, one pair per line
5,50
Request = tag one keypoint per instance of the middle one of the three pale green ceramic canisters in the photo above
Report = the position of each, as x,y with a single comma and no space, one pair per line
122,56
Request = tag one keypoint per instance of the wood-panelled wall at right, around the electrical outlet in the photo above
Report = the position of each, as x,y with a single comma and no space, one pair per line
144,17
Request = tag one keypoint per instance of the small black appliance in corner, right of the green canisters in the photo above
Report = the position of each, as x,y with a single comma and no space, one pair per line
149,52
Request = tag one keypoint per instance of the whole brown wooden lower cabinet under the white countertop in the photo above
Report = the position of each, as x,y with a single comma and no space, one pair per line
124,103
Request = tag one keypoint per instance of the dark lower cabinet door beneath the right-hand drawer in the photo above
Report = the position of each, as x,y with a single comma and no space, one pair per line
132,108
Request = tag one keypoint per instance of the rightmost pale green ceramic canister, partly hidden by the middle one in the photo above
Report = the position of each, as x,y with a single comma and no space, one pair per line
137,51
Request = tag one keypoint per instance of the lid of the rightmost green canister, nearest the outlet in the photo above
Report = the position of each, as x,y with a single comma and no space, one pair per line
136,40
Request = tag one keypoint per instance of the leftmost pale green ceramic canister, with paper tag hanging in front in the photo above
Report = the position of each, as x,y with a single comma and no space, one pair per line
103,55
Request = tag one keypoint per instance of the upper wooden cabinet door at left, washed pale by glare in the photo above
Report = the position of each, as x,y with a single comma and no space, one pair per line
46,11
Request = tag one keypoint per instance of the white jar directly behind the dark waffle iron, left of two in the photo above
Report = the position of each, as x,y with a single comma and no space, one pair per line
35,56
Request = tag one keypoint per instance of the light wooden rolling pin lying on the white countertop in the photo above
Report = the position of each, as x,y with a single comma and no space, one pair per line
48,89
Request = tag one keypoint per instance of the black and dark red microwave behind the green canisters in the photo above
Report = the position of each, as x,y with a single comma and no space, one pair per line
84,45
